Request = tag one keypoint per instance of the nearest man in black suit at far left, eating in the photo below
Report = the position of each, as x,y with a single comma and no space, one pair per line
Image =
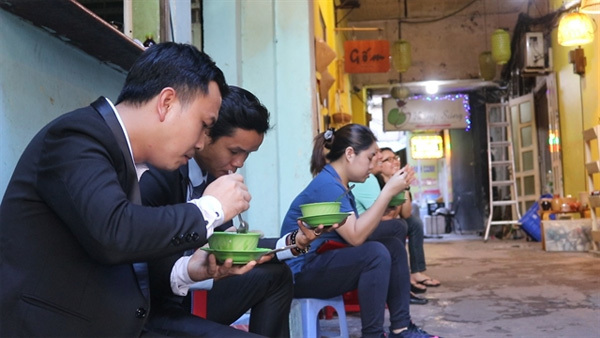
71,223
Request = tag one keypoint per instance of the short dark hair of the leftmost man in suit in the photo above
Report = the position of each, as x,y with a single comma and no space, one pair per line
180,66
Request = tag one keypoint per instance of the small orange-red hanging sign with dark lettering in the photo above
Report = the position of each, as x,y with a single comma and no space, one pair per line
366,56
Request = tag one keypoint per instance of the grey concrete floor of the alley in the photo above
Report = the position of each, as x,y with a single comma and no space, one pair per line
504,288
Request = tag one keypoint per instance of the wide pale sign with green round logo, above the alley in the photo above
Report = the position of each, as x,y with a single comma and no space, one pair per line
426,113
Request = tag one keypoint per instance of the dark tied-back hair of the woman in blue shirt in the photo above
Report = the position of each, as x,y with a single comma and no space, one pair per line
356,136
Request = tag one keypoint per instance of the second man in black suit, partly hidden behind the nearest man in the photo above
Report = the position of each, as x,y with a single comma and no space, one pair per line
268,288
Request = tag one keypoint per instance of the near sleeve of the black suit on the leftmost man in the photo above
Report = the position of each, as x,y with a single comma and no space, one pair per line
82,176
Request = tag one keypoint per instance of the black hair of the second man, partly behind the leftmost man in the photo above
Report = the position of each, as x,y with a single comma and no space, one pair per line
240,109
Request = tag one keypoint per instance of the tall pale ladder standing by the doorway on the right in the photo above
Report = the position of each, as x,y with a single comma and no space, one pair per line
501,166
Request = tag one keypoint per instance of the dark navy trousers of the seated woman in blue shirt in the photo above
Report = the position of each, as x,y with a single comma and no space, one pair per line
378,268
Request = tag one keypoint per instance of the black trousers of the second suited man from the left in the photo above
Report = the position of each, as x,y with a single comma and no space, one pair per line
267,290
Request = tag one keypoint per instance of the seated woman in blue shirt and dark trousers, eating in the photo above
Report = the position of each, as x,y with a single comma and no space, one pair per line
371,260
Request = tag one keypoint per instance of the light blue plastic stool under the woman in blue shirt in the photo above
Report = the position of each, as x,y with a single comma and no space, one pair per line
310,308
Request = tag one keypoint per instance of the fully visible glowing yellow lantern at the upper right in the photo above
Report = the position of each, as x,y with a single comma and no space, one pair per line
575,29
